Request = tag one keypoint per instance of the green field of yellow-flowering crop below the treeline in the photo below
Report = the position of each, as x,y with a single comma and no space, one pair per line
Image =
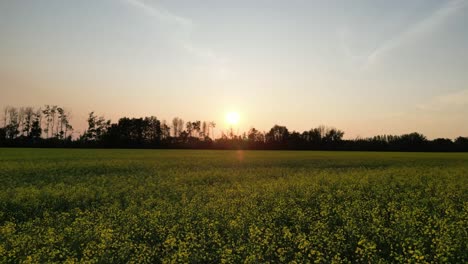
232,206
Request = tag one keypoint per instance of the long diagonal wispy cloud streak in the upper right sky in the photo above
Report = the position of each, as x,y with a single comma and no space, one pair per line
415,30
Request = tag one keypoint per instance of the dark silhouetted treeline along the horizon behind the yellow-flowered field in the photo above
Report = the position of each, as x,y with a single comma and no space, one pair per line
50,127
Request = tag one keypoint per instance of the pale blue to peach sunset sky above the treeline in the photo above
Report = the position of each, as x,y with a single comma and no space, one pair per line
367,67
